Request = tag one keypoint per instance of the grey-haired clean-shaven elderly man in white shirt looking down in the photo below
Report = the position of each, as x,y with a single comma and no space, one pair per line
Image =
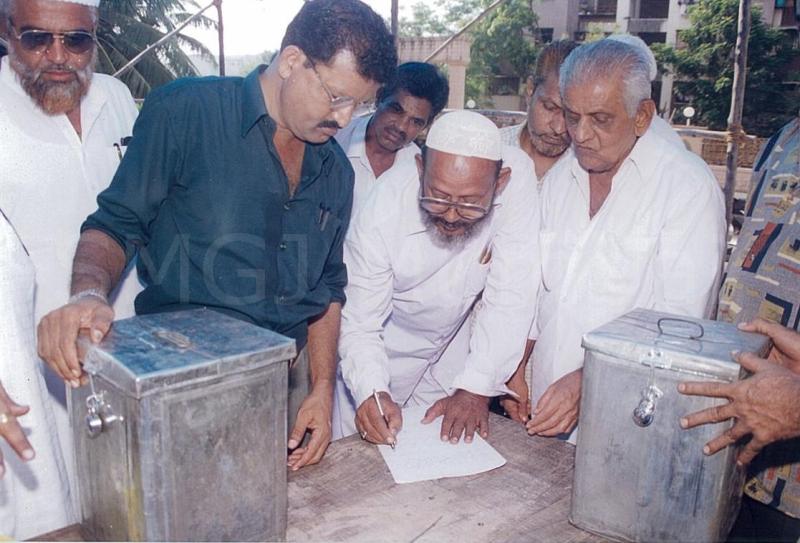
628,220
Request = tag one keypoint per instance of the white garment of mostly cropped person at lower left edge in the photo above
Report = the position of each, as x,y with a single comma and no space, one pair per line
34,495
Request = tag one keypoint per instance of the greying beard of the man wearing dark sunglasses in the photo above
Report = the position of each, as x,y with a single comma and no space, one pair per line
53,97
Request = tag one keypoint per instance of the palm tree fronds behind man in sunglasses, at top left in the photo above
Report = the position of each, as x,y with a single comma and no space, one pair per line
126,27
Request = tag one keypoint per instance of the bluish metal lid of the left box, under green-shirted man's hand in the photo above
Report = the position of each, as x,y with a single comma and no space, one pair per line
147,353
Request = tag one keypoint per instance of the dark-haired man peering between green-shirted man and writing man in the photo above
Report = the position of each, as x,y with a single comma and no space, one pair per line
384,140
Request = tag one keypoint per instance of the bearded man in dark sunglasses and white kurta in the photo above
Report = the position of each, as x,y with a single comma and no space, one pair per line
59,124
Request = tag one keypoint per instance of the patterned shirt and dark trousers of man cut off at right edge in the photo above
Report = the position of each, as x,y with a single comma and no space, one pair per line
763,280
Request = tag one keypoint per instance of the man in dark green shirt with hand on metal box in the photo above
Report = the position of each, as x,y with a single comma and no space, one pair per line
234,197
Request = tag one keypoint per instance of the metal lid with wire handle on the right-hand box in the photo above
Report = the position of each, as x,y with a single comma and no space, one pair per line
685,344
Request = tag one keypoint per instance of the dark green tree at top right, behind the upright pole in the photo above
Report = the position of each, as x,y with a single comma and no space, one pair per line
704,68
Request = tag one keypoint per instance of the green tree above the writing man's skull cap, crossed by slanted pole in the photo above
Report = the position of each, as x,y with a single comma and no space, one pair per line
501,43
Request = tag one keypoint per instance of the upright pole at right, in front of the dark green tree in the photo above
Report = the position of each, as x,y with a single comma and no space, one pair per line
735,133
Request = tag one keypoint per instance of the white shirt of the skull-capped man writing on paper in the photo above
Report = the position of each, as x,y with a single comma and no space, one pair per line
406,296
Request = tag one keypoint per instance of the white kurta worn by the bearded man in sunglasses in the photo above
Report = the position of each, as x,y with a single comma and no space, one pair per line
50,181
